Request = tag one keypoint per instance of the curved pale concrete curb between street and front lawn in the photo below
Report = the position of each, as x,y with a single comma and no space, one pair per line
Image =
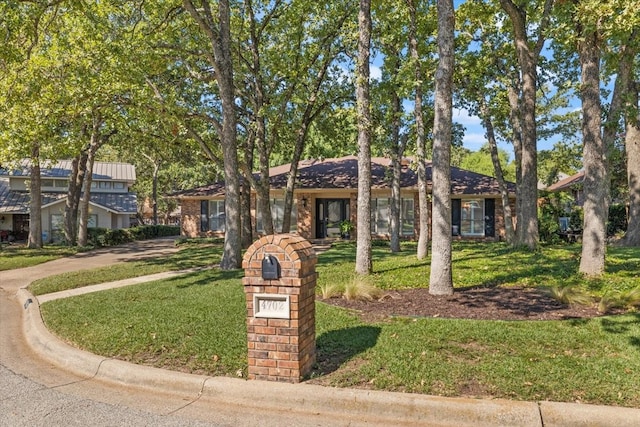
390,408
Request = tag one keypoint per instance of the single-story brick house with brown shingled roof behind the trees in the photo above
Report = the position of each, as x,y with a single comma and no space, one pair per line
326,195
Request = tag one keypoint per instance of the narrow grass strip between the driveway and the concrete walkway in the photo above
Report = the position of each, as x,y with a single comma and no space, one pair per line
191,255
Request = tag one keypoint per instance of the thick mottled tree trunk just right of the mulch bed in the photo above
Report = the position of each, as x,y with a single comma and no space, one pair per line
596,192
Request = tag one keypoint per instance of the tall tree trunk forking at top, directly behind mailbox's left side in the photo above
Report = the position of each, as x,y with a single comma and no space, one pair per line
217,28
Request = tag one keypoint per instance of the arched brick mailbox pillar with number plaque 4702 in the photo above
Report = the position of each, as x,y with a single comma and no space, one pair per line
279,284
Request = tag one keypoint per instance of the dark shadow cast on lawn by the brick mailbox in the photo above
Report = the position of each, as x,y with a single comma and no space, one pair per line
334,348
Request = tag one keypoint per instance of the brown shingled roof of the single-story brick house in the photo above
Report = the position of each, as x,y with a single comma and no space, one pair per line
342,173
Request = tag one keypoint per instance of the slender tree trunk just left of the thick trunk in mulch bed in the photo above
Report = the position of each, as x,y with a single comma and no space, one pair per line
423,202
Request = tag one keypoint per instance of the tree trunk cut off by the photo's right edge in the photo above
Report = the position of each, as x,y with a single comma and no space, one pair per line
632,148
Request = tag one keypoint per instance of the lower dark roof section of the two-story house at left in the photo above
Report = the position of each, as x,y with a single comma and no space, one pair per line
17,202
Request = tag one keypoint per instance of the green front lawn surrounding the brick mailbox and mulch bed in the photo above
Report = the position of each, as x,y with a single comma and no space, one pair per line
196,323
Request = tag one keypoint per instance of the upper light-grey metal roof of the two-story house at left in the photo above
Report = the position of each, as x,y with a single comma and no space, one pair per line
62,169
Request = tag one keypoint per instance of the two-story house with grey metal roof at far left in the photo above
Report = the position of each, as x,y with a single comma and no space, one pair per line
111,206
